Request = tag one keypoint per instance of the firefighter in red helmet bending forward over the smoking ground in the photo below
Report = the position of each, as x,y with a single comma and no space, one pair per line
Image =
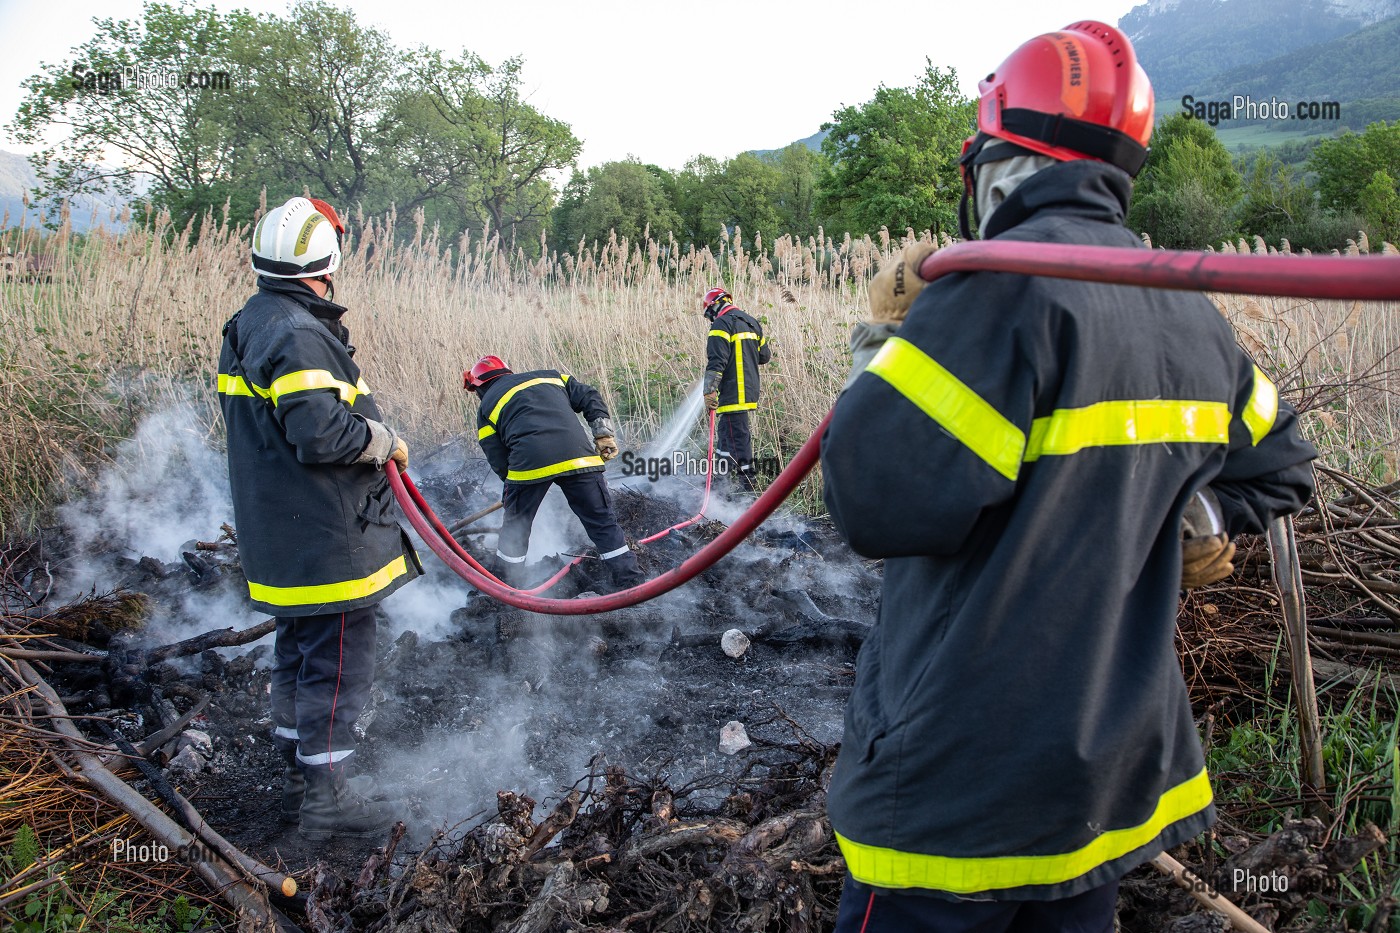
528,429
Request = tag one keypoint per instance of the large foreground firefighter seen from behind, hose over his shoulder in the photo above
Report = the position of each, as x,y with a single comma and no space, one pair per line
1021,452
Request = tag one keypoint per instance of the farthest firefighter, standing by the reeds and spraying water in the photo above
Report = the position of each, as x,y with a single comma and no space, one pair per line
734,351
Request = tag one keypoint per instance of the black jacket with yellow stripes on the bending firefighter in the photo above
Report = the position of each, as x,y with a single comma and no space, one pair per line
530,431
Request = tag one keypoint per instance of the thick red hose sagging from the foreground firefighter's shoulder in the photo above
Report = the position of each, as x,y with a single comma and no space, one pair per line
1370,278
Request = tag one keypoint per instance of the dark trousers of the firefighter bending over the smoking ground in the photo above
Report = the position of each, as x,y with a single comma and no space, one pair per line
587,495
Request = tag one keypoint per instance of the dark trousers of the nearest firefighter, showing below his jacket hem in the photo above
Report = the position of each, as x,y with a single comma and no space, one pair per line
866,910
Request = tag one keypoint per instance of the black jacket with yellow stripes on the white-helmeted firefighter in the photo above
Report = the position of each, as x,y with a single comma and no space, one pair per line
317,522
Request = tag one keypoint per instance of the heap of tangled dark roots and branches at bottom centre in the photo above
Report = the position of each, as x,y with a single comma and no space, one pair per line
621,854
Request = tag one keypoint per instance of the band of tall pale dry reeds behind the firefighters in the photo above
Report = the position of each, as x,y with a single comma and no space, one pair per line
134,322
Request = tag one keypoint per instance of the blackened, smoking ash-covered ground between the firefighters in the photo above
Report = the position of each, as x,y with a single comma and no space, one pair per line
472,697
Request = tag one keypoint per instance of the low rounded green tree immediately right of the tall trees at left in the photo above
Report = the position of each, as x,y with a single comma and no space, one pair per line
628,198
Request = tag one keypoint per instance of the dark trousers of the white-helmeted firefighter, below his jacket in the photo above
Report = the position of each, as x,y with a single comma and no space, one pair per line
321,677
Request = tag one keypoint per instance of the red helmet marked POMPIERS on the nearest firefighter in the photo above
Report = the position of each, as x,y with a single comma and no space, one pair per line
1079,93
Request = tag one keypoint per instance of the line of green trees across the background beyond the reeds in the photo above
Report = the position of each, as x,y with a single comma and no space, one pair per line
321,102
